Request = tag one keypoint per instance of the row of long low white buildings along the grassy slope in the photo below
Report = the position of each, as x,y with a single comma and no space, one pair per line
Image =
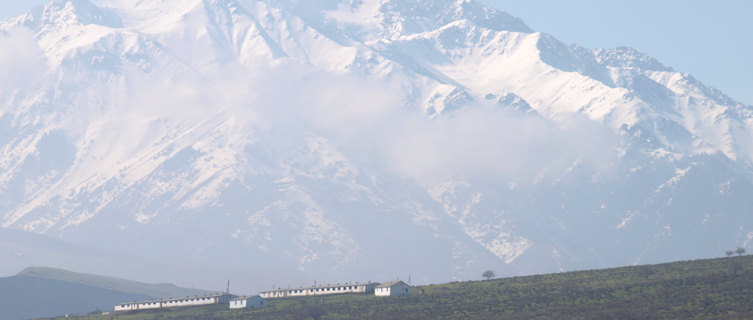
393,288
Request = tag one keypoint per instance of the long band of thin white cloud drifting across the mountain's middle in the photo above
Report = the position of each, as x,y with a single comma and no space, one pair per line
365,118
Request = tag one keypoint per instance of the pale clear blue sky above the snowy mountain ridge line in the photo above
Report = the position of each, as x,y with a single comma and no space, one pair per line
712,40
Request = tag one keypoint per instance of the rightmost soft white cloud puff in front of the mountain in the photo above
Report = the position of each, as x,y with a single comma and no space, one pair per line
482,142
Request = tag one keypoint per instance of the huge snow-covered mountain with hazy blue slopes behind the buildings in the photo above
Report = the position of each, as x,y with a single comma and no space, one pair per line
341,140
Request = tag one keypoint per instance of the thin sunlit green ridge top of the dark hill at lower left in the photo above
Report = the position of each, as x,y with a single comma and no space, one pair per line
126,286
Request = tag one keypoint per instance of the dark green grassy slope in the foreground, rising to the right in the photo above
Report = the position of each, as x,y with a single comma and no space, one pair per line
701,289
